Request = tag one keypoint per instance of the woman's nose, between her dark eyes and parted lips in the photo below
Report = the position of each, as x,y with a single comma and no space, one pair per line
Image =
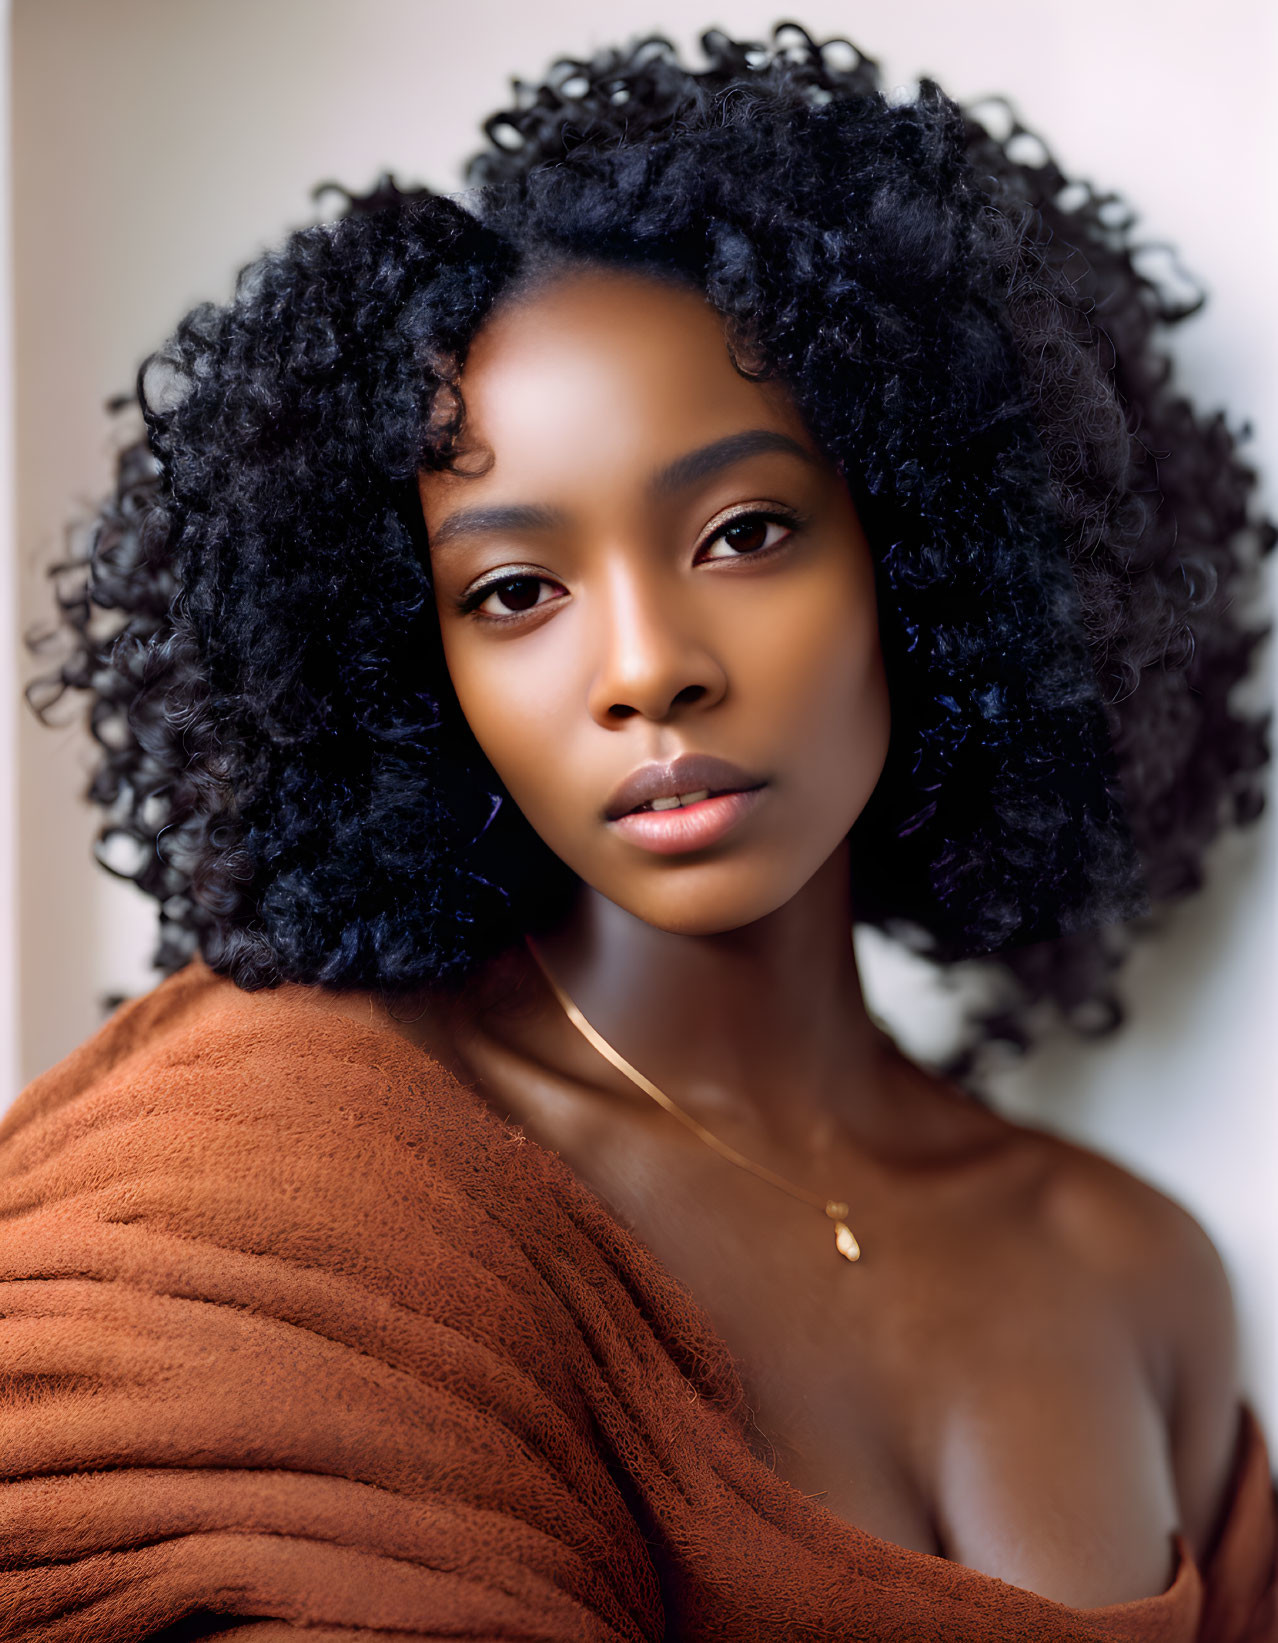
651,660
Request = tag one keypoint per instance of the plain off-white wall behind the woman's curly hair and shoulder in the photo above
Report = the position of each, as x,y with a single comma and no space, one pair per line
160,145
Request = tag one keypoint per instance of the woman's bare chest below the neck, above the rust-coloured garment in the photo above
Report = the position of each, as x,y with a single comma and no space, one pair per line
963,1391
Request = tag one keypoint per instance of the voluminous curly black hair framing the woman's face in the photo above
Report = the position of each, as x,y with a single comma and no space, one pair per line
1060,540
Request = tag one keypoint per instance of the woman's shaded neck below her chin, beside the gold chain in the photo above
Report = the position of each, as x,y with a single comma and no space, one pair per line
765,1026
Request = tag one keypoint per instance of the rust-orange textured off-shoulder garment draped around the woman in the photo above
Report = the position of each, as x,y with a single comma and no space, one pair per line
298,1335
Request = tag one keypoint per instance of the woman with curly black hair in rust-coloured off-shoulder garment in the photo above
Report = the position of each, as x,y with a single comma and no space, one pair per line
548,625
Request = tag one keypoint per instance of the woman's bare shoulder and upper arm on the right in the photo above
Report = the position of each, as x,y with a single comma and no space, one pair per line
1170,1282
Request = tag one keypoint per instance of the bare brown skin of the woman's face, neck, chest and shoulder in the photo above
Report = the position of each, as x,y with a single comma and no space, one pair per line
591,627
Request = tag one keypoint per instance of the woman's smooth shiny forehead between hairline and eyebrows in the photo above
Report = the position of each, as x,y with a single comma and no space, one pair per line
597,380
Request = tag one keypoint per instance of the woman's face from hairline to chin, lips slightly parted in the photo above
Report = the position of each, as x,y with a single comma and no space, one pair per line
653,589
